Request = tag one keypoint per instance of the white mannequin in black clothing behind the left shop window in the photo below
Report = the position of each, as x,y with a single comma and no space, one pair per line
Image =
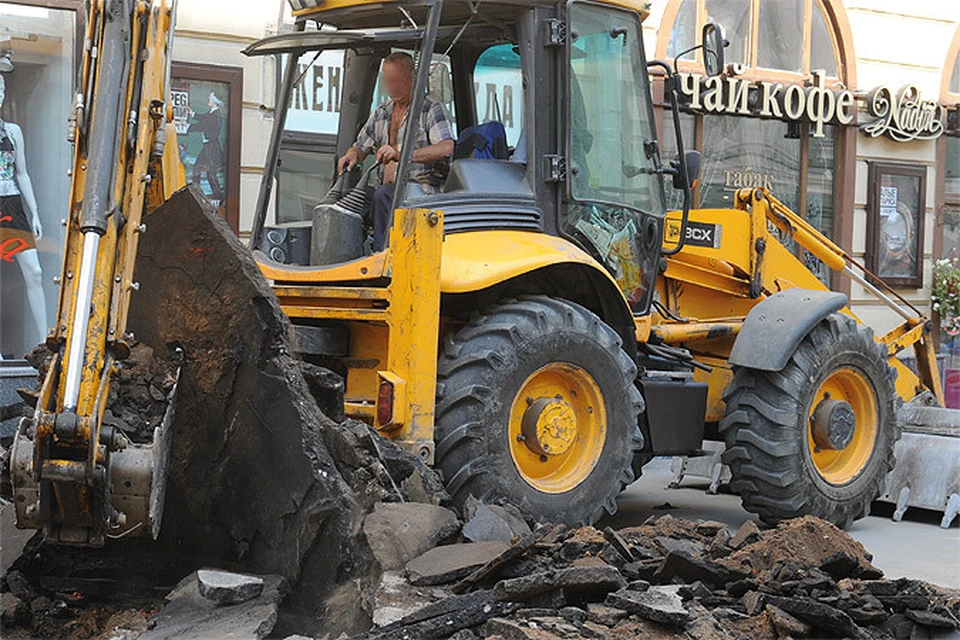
20,227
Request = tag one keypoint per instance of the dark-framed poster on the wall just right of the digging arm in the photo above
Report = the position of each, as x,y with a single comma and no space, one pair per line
206,103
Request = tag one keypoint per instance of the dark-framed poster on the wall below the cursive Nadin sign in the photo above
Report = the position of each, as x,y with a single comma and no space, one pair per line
895,224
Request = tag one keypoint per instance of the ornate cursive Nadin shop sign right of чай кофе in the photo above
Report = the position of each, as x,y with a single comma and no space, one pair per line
903,116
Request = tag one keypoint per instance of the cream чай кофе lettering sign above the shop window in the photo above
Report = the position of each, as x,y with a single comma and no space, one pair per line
736,96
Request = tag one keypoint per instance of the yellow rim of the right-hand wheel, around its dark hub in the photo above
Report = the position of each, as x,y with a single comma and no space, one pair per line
841,464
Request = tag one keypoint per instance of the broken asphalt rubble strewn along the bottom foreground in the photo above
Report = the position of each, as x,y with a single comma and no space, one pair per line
667,578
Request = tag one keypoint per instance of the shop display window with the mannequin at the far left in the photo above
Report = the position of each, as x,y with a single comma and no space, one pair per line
37,70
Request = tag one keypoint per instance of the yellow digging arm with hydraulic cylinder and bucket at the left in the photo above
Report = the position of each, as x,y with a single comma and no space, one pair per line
76,478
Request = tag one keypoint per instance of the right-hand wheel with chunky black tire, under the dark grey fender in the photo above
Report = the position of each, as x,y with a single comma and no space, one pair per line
817,437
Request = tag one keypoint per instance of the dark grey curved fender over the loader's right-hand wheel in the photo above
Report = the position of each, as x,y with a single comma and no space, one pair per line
774,328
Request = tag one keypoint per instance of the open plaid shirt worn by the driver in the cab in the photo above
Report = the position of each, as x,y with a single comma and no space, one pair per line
435,127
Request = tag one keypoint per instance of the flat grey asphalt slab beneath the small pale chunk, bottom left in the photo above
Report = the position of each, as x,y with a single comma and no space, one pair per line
190,616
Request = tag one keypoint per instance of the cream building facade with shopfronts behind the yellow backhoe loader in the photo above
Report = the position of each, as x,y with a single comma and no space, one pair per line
847,110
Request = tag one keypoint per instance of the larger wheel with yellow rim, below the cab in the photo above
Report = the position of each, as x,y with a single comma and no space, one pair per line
536,405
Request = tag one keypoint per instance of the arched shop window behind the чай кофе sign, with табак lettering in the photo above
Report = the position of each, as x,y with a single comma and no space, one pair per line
797,167
